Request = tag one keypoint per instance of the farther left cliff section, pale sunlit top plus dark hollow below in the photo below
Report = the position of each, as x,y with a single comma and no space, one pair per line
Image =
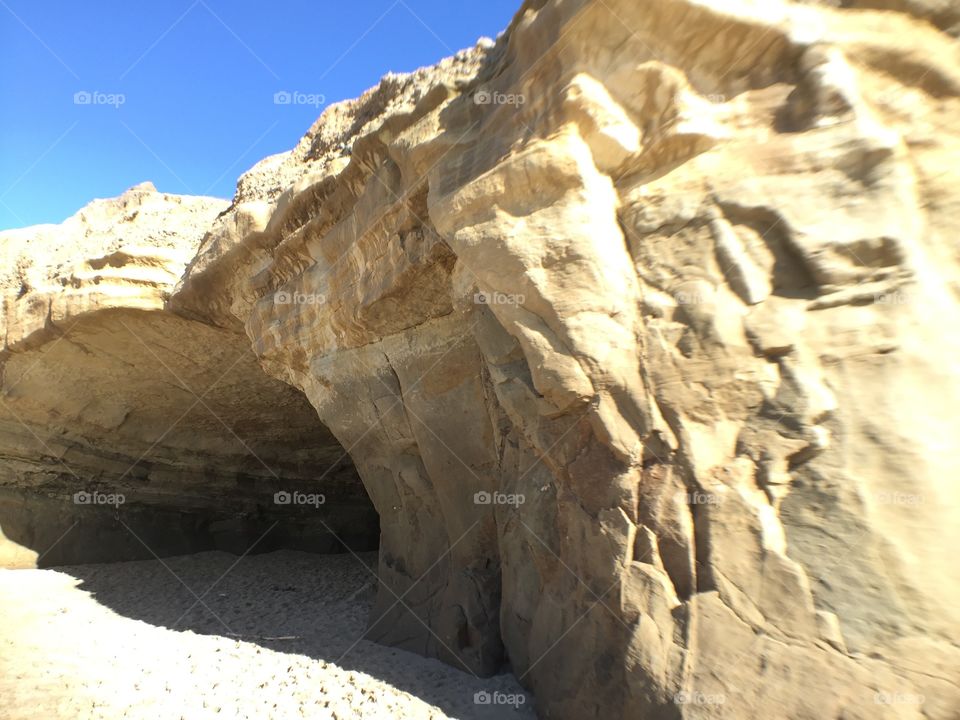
108,394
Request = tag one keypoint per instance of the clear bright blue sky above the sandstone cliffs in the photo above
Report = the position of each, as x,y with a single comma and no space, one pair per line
181,92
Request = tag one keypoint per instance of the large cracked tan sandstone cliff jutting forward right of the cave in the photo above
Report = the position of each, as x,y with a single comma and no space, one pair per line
636,326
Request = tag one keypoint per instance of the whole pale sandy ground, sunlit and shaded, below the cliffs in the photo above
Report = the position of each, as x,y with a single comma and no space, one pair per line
94,641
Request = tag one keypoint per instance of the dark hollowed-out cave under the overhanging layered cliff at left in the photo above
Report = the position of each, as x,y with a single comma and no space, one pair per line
135,434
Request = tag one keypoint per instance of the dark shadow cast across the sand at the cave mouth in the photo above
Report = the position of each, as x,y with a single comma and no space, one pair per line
293,603
